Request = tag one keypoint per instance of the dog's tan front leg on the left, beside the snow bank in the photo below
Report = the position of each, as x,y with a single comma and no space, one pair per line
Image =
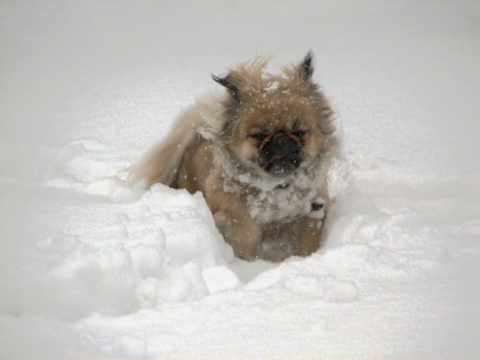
232,218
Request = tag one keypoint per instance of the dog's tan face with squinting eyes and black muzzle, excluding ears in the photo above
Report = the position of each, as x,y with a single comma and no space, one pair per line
277,134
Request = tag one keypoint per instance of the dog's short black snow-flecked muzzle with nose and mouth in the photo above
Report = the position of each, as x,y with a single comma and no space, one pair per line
281,156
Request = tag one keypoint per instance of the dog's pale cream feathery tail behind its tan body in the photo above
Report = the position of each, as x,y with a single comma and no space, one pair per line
161,163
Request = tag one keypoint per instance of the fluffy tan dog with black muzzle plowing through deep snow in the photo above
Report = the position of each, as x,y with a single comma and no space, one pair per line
260,155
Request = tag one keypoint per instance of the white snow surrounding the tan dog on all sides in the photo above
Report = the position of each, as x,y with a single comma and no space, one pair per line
92,267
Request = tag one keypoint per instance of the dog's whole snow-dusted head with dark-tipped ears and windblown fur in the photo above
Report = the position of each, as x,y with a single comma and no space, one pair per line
275,123
